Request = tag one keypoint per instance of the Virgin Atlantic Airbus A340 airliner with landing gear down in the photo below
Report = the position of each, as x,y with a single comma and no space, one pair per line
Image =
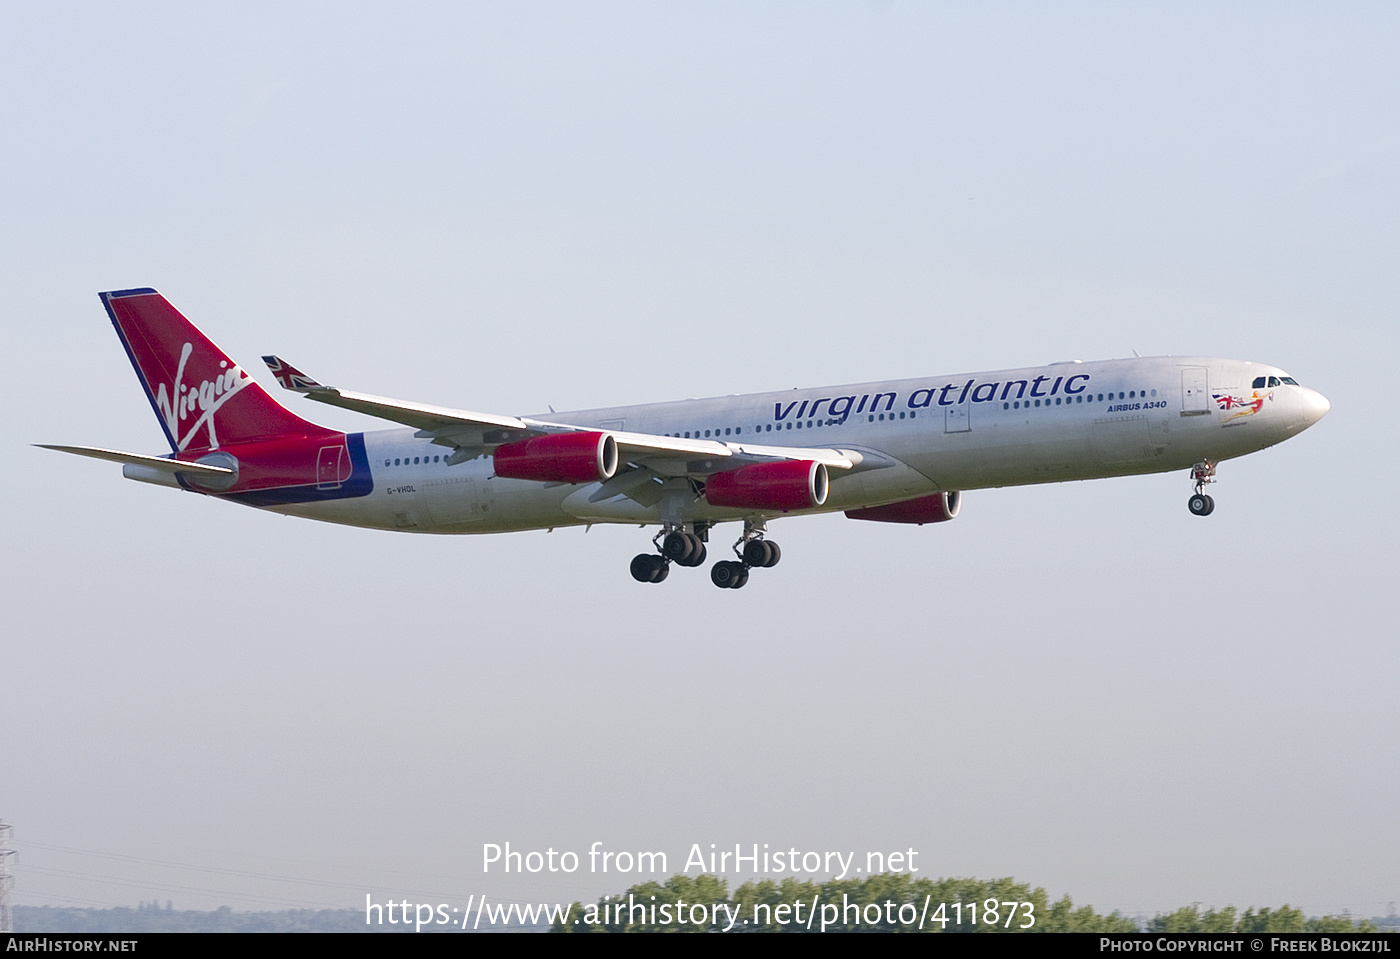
897,451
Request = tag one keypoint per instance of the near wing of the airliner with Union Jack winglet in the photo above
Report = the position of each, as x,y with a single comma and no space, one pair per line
471,433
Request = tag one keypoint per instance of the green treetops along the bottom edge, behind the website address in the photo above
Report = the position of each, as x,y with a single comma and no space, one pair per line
901,904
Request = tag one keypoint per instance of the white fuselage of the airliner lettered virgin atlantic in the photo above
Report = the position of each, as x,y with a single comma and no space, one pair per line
916,437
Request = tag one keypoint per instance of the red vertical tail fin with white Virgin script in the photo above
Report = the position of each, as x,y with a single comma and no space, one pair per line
202,398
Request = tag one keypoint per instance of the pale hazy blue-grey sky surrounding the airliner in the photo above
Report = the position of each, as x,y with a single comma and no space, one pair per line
510,206
